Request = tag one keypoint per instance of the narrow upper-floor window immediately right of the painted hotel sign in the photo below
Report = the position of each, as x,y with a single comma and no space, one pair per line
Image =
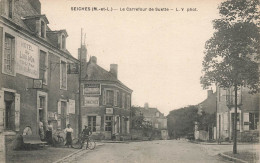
43,66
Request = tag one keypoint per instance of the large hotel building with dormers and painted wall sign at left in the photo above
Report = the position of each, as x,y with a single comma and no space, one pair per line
34,84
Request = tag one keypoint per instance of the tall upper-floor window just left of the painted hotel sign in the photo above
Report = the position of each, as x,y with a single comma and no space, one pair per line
9,53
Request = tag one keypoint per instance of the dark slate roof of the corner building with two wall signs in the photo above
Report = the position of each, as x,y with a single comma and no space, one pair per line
93,72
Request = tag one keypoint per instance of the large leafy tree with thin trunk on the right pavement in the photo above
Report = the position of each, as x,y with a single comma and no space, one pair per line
231,54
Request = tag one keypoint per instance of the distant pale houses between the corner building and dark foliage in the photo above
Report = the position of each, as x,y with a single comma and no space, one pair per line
155,118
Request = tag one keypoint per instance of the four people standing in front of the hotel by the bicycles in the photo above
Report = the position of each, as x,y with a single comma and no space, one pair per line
68,132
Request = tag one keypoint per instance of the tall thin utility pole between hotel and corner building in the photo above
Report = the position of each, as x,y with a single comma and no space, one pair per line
79,118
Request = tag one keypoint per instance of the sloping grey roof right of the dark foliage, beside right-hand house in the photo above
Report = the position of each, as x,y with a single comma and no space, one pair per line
209,105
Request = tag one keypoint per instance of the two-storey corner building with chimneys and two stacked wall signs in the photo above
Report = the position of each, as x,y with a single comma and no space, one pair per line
106,102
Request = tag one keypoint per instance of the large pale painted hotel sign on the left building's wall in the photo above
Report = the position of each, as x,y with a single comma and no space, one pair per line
27,58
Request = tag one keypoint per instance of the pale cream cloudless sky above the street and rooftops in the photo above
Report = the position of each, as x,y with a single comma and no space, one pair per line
159,53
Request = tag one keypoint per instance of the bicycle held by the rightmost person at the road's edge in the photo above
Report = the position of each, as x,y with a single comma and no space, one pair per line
78,143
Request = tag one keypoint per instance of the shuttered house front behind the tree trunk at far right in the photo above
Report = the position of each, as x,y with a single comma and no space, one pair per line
247,117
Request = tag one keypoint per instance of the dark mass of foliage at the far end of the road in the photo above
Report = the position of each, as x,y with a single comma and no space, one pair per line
181,121
